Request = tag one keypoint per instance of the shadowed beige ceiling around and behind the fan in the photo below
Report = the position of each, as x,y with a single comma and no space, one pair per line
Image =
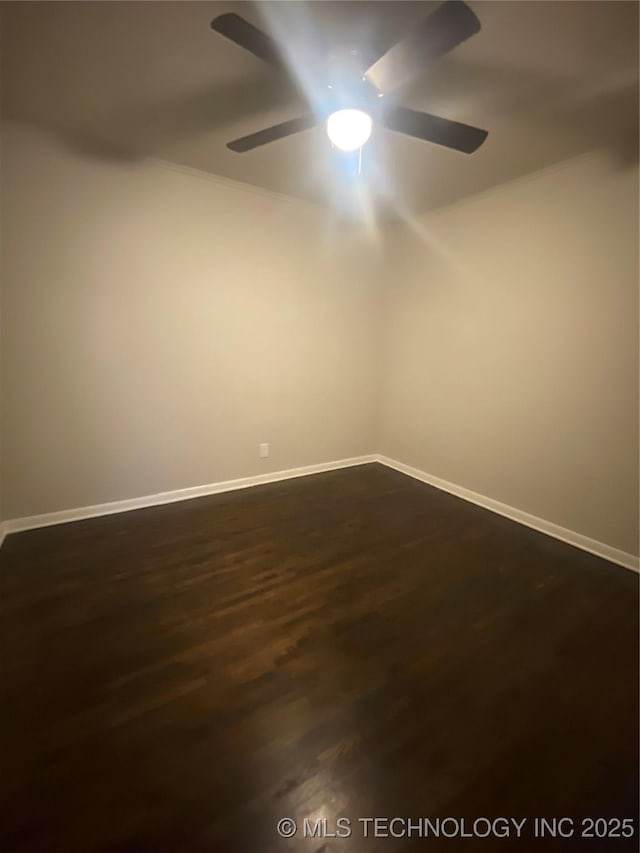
130,80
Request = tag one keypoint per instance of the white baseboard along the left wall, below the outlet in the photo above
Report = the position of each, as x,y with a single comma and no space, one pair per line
14,525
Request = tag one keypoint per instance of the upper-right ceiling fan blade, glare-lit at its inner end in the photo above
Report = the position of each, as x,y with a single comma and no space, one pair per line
450,25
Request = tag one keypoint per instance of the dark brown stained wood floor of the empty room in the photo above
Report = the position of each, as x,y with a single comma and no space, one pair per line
352,644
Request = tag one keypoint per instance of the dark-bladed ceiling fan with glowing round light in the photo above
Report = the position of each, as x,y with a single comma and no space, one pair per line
350,107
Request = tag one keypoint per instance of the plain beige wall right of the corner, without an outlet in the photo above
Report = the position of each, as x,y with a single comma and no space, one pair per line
511,347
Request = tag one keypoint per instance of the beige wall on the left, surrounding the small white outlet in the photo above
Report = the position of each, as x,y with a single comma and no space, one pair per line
158,325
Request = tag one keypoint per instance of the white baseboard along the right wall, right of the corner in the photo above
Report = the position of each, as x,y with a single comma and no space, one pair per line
607,552
